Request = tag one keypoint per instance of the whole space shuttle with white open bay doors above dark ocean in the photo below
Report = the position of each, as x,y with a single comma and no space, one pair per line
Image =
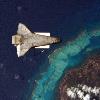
25,39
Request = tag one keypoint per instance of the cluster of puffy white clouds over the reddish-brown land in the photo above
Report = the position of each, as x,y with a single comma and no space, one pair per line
79,91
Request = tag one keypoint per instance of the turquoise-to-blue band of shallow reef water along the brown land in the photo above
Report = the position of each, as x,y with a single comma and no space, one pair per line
64,58
